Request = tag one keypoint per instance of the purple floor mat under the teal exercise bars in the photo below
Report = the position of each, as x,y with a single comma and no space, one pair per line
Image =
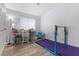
65,50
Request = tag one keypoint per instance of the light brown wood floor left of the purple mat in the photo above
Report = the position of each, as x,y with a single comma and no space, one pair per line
32,49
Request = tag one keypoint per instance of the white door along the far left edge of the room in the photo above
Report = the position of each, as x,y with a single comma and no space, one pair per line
2,27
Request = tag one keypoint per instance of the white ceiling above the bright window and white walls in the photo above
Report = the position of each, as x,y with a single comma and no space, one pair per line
32,8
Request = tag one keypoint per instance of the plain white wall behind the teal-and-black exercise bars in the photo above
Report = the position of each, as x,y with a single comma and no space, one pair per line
65,14
